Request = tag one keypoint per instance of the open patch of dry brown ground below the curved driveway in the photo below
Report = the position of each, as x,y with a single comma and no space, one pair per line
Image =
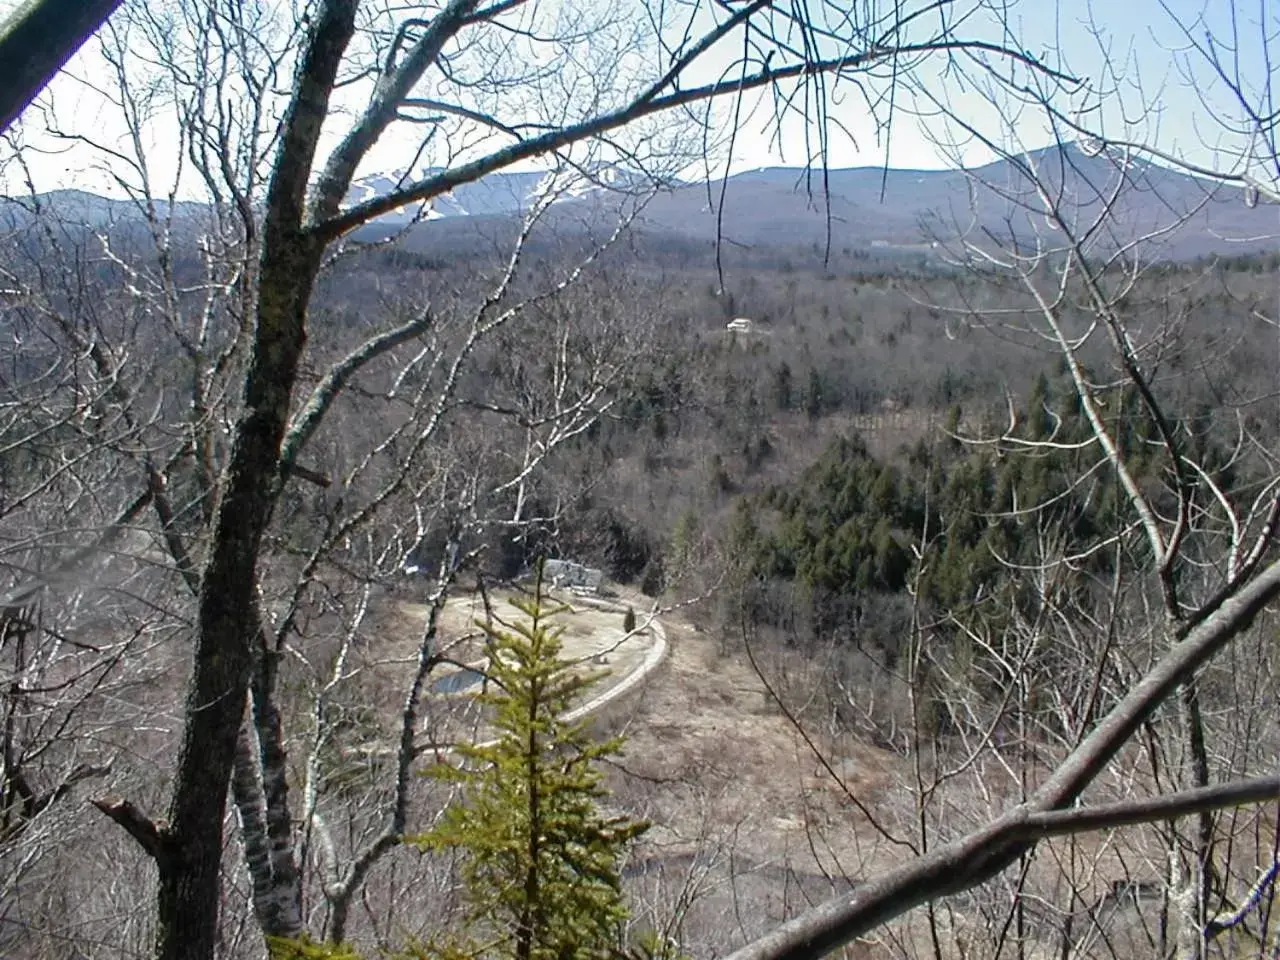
748,824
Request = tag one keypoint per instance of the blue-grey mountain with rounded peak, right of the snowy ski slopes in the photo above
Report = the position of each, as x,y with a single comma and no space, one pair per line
868,208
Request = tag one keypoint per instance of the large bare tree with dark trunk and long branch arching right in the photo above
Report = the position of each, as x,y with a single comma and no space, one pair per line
406,70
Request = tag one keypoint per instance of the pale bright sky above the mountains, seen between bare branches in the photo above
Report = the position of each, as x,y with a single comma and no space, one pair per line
1132,51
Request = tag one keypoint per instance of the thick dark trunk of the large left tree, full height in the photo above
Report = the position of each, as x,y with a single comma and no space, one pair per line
228,625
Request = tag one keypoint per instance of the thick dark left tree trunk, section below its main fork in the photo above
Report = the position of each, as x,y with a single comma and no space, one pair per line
228,621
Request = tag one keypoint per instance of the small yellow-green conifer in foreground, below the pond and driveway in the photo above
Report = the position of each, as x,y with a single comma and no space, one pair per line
541,860
